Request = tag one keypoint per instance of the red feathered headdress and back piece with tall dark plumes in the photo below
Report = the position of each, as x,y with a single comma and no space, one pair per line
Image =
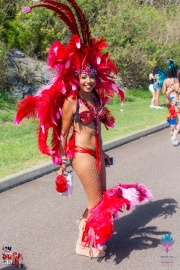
83,54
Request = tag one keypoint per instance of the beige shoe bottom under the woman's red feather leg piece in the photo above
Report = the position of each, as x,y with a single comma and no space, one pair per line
89,252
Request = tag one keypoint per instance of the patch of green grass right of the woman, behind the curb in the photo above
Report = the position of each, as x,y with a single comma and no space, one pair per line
136,114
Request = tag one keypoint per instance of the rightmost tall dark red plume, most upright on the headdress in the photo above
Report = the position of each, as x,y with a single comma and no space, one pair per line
84,25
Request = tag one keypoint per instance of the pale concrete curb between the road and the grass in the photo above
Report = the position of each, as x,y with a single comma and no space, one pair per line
46,168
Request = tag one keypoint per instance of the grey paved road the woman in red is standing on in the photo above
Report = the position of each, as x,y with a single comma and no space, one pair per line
42,225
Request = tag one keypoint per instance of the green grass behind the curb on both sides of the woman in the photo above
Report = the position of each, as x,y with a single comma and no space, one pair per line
18,143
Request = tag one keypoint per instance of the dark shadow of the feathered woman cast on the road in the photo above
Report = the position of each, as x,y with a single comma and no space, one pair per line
131,232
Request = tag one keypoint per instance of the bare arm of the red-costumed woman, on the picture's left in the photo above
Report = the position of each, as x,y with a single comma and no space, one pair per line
68,110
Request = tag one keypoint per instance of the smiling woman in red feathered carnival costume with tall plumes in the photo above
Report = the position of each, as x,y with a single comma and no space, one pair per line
75,101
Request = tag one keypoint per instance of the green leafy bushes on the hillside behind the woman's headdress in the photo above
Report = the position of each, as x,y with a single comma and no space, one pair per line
141,33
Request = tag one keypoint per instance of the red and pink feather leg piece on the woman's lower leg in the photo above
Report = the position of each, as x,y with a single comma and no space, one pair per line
99,227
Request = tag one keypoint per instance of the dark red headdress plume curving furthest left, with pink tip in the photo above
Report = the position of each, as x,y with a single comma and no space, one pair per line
61,15
